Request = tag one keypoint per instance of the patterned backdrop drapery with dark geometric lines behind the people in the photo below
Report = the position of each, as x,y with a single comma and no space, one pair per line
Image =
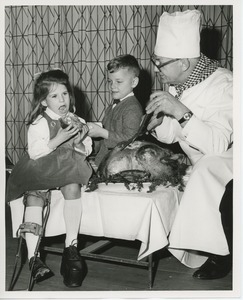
81,40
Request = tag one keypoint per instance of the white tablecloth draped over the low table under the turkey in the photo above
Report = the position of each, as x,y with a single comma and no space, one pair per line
113,211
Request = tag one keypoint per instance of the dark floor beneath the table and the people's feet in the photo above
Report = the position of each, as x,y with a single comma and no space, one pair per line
169,274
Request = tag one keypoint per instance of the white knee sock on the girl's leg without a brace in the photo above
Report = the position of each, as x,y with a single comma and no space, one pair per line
72,217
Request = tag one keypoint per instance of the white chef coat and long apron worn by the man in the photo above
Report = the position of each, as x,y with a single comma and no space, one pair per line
206,139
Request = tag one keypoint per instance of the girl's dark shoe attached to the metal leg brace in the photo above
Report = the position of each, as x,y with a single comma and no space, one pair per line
39,270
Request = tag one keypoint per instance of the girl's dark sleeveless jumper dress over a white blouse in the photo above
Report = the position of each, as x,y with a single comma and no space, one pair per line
61,167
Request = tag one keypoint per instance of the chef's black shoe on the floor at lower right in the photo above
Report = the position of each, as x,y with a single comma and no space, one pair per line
215,267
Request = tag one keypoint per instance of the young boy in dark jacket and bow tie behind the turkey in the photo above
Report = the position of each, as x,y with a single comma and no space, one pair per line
123,117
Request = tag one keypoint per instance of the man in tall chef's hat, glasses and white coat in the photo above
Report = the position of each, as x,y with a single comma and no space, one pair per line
196,112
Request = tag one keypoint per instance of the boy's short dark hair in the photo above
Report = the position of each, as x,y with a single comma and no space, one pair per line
124,61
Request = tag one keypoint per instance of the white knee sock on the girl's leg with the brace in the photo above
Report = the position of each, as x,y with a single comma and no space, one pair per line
32,214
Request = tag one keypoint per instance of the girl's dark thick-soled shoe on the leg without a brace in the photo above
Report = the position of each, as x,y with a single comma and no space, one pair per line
73,267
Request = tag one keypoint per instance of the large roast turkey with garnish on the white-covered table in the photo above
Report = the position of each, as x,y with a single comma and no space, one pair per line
139,162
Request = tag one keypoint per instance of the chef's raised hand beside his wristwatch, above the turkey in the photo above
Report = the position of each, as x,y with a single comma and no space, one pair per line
164,102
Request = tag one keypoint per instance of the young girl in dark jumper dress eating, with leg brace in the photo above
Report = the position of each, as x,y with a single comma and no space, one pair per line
56,158
